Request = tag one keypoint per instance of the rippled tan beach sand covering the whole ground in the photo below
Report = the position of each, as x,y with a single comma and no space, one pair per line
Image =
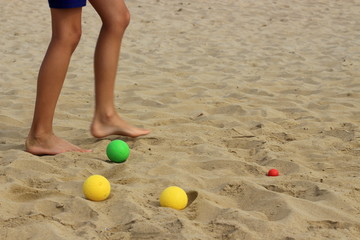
230,89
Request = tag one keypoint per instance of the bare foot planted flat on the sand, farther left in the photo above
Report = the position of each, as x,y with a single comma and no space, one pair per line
50,145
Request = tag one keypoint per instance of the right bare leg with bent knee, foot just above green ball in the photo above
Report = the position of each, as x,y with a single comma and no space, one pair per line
115,17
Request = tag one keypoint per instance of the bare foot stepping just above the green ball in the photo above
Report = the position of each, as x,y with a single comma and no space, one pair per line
114,125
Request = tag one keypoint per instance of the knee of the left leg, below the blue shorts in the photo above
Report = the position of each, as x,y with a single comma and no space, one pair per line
69,38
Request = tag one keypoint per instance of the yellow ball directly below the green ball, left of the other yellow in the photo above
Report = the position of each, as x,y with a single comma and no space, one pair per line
96,188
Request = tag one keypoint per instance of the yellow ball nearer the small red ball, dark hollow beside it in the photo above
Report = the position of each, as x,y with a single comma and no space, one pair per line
174,197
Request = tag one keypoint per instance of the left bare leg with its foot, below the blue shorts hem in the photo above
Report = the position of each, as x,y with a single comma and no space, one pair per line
66,32
